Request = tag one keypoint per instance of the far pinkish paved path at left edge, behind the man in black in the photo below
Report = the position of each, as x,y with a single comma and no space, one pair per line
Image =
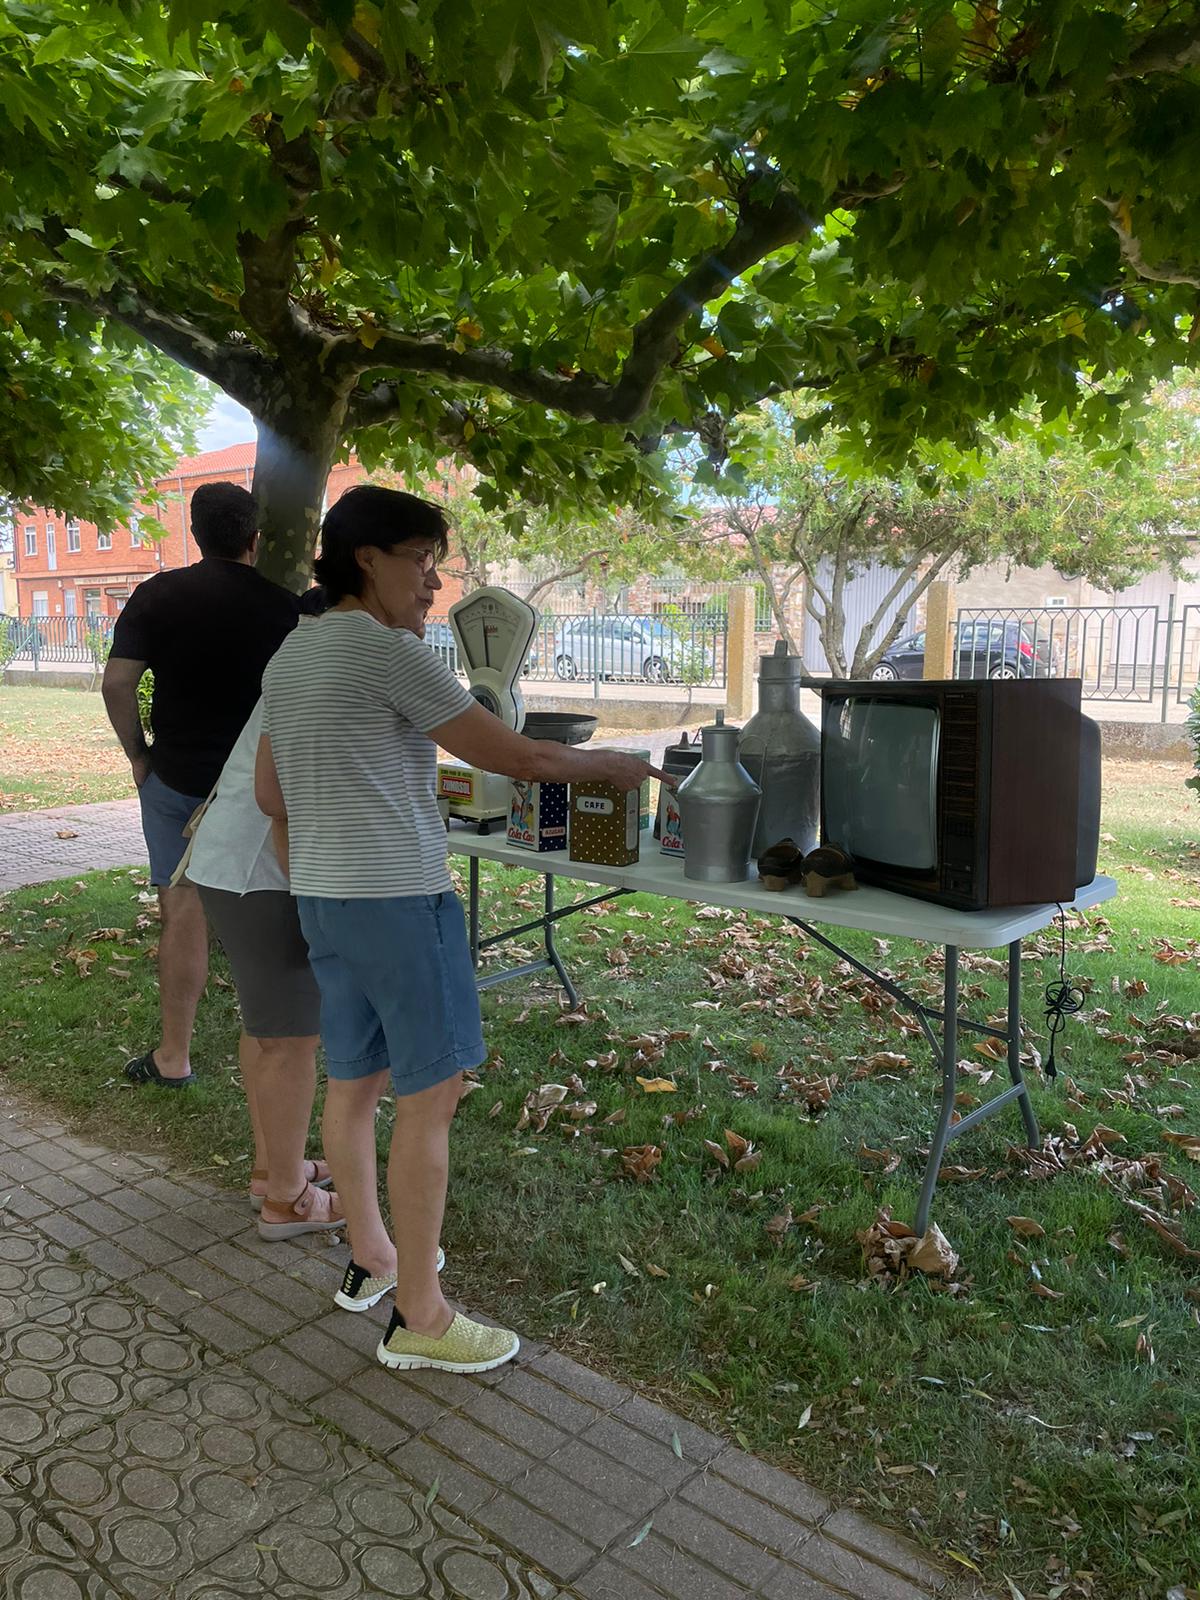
33,849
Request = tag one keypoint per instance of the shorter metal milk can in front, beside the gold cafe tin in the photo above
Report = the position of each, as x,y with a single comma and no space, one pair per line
718,807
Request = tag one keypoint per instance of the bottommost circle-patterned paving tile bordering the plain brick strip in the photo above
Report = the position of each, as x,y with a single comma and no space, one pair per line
369,1535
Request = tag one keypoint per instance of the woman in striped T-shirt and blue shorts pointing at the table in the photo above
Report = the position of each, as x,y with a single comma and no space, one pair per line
356,710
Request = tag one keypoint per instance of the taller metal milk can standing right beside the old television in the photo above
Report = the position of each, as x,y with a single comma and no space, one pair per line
782,751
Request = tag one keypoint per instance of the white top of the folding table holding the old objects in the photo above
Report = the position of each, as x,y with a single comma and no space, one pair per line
868,910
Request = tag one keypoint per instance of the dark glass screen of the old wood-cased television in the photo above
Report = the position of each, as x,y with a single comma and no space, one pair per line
881,782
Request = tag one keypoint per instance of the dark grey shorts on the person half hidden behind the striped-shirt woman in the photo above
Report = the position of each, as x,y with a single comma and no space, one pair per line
270,959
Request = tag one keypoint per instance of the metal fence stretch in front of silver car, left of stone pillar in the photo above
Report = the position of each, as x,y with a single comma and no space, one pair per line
602,647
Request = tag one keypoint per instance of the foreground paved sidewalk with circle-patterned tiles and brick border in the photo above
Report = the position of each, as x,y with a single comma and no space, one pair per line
183,1414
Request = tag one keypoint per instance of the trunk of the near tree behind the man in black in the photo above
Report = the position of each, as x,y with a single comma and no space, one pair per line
295,454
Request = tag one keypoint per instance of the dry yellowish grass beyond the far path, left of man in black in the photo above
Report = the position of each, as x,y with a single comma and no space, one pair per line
57,748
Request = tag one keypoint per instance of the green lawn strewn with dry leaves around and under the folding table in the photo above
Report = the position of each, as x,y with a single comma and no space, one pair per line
1031,1436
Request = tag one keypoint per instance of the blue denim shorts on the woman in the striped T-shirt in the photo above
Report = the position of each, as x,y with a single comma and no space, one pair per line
398,988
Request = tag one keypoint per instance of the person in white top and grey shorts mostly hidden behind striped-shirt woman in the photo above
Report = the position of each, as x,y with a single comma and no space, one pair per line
254,916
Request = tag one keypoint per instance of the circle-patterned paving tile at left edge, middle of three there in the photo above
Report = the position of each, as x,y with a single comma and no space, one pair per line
82,1364
